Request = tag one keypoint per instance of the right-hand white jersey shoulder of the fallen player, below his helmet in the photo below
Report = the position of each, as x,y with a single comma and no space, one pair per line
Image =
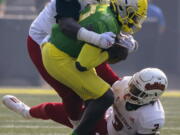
151,115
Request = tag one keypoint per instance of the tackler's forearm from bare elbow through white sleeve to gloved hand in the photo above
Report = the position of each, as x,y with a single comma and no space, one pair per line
70,27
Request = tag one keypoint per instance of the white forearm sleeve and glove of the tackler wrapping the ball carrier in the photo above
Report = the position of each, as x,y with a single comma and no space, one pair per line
104,40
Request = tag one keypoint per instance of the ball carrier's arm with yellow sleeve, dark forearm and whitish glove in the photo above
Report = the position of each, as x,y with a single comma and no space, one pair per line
91,56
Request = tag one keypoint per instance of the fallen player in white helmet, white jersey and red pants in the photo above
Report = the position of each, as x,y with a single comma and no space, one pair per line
137,109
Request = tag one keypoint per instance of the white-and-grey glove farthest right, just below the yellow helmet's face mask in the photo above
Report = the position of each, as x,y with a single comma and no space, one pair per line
127,41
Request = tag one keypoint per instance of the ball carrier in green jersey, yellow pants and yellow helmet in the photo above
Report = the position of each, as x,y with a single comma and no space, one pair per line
63,56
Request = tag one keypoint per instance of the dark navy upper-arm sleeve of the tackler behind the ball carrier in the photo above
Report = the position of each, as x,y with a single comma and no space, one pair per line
67,8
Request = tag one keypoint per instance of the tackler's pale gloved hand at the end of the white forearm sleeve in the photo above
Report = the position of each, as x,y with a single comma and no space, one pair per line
106,40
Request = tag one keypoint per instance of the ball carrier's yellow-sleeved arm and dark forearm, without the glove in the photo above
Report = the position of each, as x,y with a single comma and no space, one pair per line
91,56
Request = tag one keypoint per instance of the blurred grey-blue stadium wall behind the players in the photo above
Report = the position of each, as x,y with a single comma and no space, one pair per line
159,42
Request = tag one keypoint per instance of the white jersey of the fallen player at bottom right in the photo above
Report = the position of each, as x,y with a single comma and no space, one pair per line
145,120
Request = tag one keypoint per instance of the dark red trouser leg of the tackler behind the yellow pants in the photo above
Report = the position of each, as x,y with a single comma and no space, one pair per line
67,95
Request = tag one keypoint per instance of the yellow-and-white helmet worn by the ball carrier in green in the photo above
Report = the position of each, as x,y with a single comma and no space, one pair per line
130,13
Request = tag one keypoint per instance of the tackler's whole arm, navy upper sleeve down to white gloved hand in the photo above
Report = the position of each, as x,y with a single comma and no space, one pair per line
67,16
